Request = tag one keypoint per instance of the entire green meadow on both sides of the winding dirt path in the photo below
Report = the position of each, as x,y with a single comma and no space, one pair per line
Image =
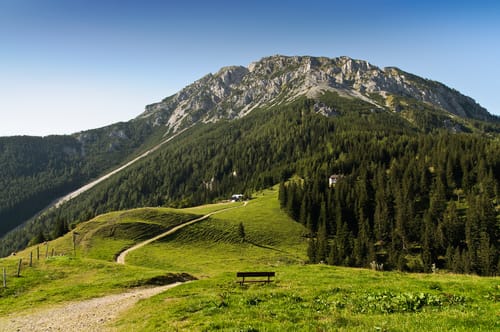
303,297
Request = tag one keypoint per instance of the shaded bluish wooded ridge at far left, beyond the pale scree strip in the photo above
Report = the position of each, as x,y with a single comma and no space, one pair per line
37,170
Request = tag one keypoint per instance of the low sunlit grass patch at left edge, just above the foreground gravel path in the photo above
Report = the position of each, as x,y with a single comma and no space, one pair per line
63,278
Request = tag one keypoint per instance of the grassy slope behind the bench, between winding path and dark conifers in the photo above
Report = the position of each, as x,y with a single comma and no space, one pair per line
214,246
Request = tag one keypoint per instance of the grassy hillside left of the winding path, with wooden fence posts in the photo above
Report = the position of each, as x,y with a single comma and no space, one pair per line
92,272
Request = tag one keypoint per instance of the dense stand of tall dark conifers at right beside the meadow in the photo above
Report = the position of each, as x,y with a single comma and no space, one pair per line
408,203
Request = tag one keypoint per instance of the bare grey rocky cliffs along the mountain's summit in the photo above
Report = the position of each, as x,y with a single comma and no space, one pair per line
235,91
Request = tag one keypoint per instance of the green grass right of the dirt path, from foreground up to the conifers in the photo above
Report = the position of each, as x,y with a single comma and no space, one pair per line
304,297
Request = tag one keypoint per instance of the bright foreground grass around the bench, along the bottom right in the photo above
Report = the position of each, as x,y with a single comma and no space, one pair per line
324,298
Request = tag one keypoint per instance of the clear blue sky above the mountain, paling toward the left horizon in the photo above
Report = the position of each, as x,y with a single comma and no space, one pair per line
70,65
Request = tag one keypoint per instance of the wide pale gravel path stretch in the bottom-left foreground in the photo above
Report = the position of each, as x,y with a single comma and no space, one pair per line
88,315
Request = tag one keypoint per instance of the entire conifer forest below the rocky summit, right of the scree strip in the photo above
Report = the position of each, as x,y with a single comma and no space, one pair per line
413,190
